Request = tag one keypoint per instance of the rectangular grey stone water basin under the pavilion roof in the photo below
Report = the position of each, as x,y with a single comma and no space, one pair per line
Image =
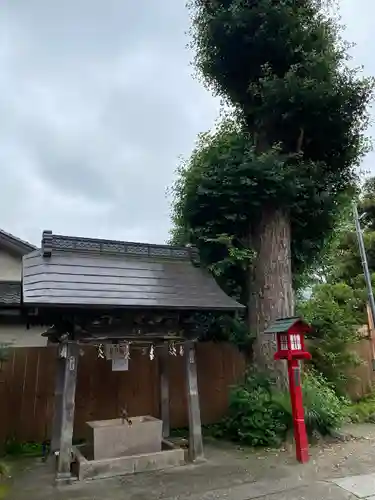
115,438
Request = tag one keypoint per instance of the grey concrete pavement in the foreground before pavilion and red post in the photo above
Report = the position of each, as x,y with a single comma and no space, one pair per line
336,471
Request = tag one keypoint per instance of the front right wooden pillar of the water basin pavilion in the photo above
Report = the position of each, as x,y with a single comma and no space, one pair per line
195,427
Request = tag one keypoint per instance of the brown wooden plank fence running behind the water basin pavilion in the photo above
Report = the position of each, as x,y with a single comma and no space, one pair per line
27,389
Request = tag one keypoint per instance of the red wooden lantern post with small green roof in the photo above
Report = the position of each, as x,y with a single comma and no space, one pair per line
291,346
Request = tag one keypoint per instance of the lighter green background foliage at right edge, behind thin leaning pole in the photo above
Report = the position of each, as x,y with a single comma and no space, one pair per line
337,308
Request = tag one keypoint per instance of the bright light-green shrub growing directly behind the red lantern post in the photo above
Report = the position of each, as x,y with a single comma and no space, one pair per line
324,410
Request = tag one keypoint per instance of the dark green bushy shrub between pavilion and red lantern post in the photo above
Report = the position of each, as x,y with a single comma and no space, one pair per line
253,417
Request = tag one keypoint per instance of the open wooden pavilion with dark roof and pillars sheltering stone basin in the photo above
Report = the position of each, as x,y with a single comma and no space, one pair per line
101,291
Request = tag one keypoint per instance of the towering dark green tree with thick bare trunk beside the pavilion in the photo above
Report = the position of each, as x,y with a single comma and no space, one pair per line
283,164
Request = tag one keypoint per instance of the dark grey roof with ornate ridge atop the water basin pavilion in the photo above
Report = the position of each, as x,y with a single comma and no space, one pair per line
91,272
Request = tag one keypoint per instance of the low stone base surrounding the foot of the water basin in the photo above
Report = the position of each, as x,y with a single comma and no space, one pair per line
87,468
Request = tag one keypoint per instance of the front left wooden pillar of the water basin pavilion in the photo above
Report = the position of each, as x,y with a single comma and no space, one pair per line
67,410
